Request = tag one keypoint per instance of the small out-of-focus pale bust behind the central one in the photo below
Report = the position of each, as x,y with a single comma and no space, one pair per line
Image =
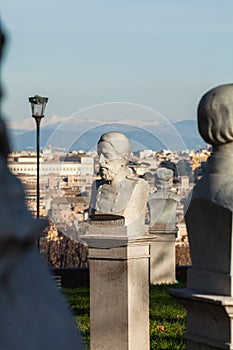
162,203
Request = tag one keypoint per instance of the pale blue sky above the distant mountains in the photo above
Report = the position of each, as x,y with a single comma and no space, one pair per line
163,54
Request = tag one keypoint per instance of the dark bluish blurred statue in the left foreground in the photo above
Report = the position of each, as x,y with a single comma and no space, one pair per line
23,275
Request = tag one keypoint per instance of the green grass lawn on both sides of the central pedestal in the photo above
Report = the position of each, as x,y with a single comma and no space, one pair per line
167,318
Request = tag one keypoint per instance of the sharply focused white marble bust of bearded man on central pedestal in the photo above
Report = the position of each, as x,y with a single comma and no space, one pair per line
118,192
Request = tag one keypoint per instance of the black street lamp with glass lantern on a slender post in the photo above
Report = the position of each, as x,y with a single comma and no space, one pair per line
38,105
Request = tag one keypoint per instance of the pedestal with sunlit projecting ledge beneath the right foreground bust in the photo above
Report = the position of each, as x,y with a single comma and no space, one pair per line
209,319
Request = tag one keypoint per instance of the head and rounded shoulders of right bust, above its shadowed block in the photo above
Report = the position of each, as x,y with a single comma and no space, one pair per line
215,123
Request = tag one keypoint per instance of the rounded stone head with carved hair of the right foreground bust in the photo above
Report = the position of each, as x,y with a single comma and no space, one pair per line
215,115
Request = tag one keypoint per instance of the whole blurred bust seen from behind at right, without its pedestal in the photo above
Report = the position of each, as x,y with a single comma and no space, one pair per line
209,212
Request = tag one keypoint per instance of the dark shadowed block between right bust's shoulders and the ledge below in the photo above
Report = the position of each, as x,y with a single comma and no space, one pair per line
210,231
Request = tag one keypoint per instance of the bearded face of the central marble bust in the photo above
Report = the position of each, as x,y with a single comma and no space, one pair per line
110,161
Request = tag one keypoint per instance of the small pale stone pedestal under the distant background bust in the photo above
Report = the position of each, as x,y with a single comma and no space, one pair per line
162,256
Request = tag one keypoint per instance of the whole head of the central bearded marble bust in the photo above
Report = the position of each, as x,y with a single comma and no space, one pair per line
114,151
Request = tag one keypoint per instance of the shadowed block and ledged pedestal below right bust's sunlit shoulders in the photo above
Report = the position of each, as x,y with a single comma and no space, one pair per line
208,299
